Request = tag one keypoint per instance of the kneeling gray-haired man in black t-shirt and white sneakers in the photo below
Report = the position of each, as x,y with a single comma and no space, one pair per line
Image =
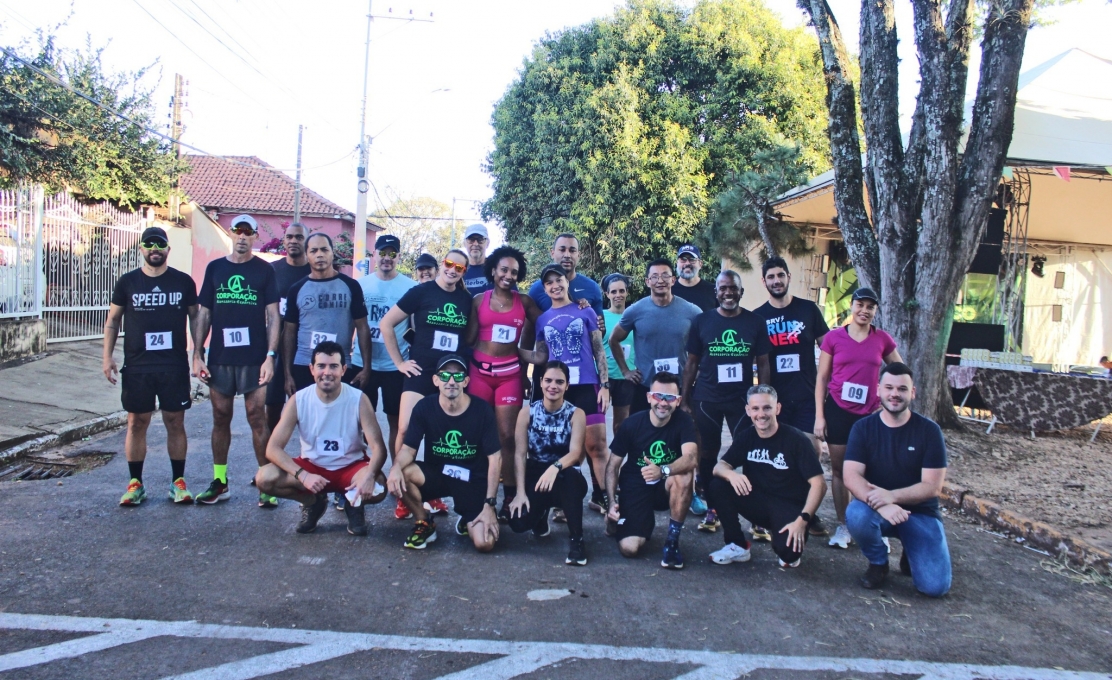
770,476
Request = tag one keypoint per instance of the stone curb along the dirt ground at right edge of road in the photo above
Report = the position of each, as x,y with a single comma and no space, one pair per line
1039,535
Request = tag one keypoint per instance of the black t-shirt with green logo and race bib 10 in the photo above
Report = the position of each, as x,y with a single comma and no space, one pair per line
239,295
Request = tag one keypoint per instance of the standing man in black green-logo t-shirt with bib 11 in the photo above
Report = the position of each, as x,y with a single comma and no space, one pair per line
722,346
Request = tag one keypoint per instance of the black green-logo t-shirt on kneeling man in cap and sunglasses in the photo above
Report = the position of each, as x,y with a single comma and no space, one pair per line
456,446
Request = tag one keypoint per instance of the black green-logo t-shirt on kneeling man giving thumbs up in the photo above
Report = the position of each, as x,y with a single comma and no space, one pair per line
639,438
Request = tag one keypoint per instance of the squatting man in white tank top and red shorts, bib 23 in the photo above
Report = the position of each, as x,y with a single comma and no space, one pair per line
333,419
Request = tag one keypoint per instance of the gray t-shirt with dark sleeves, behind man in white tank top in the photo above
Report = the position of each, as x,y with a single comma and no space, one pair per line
324,309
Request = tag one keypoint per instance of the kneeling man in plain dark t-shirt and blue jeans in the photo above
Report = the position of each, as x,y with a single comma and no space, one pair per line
896,464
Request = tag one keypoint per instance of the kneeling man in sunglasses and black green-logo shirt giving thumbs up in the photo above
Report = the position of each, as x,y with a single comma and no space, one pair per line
658,446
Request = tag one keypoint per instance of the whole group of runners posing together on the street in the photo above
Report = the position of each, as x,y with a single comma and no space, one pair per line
450,355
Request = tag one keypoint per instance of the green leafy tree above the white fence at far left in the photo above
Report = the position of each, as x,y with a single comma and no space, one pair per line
52,136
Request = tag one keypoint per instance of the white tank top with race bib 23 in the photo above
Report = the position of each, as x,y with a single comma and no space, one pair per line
331,435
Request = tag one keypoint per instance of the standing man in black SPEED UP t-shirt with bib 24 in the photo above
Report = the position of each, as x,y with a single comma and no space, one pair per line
154,302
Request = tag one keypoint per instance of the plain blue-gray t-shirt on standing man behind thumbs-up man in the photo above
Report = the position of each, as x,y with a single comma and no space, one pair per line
661,335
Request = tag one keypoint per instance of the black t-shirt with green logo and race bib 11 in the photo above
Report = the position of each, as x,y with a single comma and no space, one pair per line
727,347
